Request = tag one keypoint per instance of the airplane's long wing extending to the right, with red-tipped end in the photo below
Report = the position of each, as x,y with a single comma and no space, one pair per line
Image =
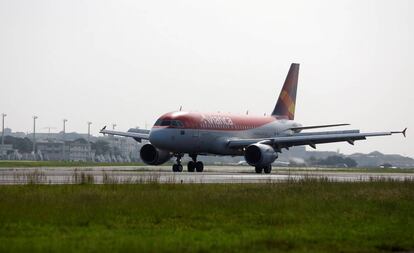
310,139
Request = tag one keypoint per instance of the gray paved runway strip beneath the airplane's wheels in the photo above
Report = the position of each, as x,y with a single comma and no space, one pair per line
162,174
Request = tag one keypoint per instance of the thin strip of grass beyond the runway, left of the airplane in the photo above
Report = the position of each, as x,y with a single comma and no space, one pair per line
26,164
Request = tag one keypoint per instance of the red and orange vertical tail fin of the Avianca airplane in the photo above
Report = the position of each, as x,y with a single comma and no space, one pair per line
285,106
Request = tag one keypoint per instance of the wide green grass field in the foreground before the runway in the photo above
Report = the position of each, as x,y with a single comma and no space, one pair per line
307,216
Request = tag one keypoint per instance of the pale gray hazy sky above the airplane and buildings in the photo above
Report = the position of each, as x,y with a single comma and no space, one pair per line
130,61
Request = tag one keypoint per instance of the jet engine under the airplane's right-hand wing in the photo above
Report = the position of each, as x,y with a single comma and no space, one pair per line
259,155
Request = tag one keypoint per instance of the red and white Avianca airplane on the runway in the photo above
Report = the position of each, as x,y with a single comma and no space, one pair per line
258,138
